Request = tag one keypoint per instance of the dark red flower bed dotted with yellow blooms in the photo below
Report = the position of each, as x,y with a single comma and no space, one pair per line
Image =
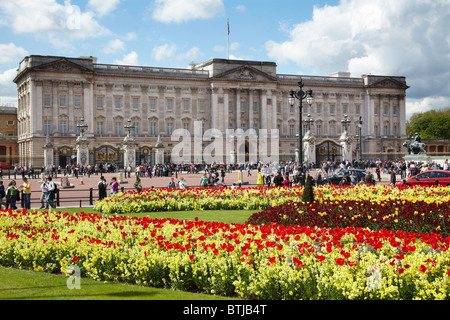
412,216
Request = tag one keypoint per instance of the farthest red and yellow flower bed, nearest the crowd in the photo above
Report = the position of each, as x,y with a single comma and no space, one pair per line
258,198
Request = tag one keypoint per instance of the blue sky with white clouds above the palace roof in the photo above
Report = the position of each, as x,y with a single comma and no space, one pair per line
402,38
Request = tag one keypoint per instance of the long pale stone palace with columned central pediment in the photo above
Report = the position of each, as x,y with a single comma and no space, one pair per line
61,97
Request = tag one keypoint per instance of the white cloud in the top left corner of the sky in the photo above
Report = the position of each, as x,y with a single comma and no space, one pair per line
49,20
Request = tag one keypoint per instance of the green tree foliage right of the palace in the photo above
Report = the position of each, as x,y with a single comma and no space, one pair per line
433,124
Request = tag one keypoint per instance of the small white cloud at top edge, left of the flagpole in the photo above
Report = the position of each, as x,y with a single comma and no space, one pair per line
177,11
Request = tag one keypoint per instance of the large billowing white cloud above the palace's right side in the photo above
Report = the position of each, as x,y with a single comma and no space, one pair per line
402,37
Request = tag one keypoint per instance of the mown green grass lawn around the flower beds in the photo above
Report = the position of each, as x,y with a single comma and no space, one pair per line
18,284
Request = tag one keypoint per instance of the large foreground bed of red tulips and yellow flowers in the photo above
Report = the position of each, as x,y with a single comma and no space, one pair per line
249,261
